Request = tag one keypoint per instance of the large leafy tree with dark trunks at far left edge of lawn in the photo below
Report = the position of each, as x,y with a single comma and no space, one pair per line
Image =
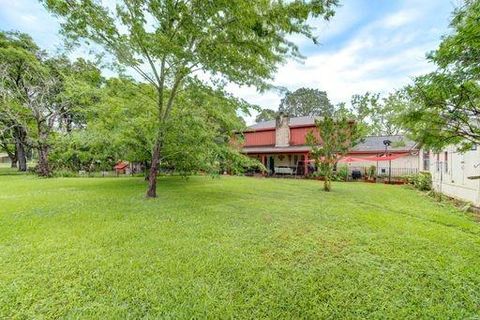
40,95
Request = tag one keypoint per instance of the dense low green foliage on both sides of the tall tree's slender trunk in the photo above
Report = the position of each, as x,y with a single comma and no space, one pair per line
119,127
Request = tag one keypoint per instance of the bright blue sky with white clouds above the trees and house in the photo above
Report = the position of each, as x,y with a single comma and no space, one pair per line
369,45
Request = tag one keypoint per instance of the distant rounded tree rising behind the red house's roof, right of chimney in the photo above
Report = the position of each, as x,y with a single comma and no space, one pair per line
306,102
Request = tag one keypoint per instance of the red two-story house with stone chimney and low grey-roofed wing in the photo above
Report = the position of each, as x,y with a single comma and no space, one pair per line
281,146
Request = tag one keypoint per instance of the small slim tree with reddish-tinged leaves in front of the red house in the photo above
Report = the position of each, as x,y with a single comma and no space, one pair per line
336,136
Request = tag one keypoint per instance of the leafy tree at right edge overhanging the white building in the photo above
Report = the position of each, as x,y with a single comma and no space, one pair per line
445,104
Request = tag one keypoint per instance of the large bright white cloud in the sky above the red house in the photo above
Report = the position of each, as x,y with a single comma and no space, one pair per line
381,56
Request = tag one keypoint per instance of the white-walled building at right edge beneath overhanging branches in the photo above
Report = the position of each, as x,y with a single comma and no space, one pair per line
456,174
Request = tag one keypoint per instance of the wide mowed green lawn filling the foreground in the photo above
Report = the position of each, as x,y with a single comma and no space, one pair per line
232,248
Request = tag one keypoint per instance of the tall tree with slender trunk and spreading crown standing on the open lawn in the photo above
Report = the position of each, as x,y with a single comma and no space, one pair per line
167,41
